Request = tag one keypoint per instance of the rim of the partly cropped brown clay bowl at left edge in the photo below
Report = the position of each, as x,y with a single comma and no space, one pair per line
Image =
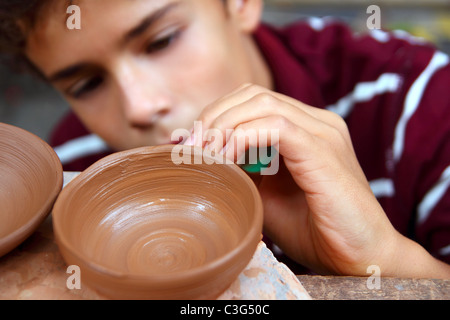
16,237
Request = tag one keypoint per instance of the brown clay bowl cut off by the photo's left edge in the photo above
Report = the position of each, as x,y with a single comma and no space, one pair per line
31,176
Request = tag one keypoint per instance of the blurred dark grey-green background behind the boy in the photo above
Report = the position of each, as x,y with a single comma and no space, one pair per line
32,105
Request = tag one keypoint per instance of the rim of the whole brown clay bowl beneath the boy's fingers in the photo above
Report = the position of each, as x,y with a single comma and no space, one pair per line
210,268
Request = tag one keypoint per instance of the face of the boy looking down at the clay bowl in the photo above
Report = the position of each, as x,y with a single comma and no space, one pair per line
137,70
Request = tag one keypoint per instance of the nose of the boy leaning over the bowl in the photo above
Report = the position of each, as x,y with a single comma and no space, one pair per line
144,100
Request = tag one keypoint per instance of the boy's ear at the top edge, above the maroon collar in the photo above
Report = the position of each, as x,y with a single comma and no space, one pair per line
247,13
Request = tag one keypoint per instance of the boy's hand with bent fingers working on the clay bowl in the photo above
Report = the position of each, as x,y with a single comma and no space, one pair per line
319,208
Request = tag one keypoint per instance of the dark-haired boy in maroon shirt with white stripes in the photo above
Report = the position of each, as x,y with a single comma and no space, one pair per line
138,70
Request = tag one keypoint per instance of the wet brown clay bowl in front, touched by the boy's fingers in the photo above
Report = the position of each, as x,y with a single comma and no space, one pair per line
140,226
